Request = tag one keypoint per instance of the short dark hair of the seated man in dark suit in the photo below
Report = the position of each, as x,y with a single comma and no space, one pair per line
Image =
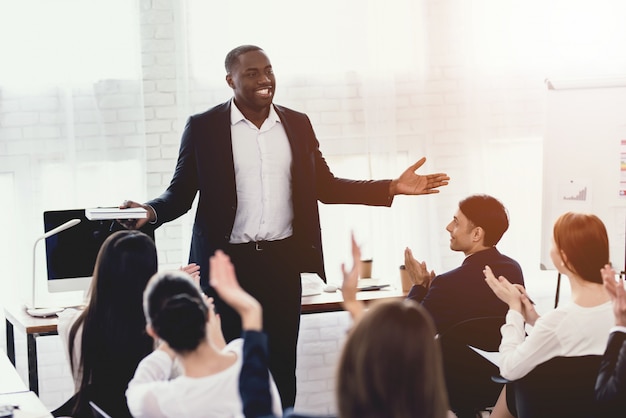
488,213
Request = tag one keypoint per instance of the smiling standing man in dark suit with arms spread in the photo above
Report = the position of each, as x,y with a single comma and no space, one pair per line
259,173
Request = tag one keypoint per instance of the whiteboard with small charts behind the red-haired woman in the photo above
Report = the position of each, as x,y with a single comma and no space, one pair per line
584,162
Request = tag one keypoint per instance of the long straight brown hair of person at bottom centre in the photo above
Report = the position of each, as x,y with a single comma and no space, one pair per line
391,365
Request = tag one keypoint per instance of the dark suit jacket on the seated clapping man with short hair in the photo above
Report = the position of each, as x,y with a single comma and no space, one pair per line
462,293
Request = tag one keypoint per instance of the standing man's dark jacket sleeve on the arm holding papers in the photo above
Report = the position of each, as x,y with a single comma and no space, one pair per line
179,196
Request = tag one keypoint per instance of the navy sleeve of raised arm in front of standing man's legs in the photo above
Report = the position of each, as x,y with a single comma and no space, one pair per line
254,378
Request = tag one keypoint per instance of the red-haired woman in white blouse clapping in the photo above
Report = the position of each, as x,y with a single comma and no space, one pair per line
580,249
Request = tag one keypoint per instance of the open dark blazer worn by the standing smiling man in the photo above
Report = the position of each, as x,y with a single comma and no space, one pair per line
205,165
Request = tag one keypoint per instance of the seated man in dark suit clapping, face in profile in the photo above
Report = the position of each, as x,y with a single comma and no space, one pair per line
462,293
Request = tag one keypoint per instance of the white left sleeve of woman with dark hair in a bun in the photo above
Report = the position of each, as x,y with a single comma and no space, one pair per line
150,378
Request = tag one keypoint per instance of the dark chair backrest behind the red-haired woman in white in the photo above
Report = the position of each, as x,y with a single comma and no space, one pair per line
560,387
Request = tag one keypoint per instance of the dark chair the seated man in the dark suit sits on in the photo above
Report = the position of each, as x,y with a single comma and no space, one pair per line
468,374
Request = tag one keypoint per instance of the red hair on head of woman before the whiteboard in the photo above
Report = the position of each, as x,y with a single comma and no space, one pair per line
584,240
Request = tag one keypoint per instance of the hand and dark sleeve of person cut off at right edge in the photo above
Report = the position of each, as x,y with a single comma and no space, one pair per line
611,383
